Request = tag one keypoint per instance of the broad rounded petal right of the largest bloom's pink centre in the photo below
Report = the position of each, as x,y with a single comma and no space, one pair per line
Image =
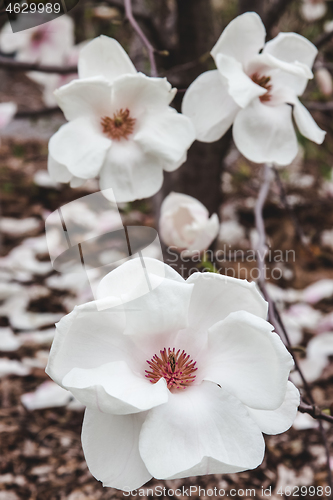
248,360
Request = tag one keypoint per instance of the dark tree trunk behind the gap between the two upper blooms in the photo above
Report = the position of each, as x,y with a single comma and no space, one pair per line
200,175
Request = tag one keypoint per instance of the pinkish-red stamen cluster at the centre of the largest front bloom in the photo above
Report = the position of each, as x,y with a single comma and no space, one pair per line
176,367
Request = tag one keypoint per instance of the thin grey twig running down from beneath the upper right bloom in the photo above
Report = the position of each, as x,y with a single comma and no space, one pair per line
272,311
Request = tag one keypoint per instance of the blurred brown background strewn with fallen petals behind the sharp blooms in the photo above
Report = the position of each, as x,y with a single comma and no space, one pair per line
41,456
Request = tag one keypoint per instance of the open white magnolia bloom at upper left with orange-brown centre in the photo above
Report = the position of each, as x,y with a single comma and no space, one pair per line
120,128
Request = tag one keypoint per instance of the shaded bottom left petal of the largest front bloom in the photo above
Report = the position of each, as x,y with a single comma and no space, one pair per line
110,445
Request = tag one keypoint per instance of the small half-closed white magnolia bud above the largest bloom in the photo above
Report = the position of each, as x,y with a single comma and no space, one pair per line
185,224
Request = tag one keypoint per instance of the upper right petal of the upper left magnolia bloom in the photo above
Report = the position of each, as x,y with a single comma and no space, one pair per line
140,93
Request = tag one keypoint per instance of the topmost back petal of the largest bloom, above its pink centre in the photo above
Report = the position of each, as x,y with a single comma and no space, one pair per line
155,287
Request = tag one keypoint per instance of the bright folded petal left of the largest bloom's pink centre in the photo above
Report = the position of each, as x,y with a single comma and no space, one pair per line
114,388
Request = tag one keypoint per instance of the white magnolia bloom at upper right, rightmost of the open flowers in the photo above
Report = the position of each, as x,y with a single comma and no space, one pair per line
255,91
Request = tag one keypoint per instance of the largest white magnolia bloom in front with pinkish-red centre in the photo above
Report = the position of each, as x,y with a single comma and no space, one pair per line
180,381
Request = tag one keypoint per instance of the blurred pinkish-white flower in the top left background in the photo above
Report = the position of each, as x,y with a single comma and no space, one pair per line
44,44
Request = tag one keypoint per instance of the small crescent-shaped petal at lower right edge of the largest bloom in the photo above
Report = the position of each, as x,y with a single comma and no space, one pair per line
280,420
